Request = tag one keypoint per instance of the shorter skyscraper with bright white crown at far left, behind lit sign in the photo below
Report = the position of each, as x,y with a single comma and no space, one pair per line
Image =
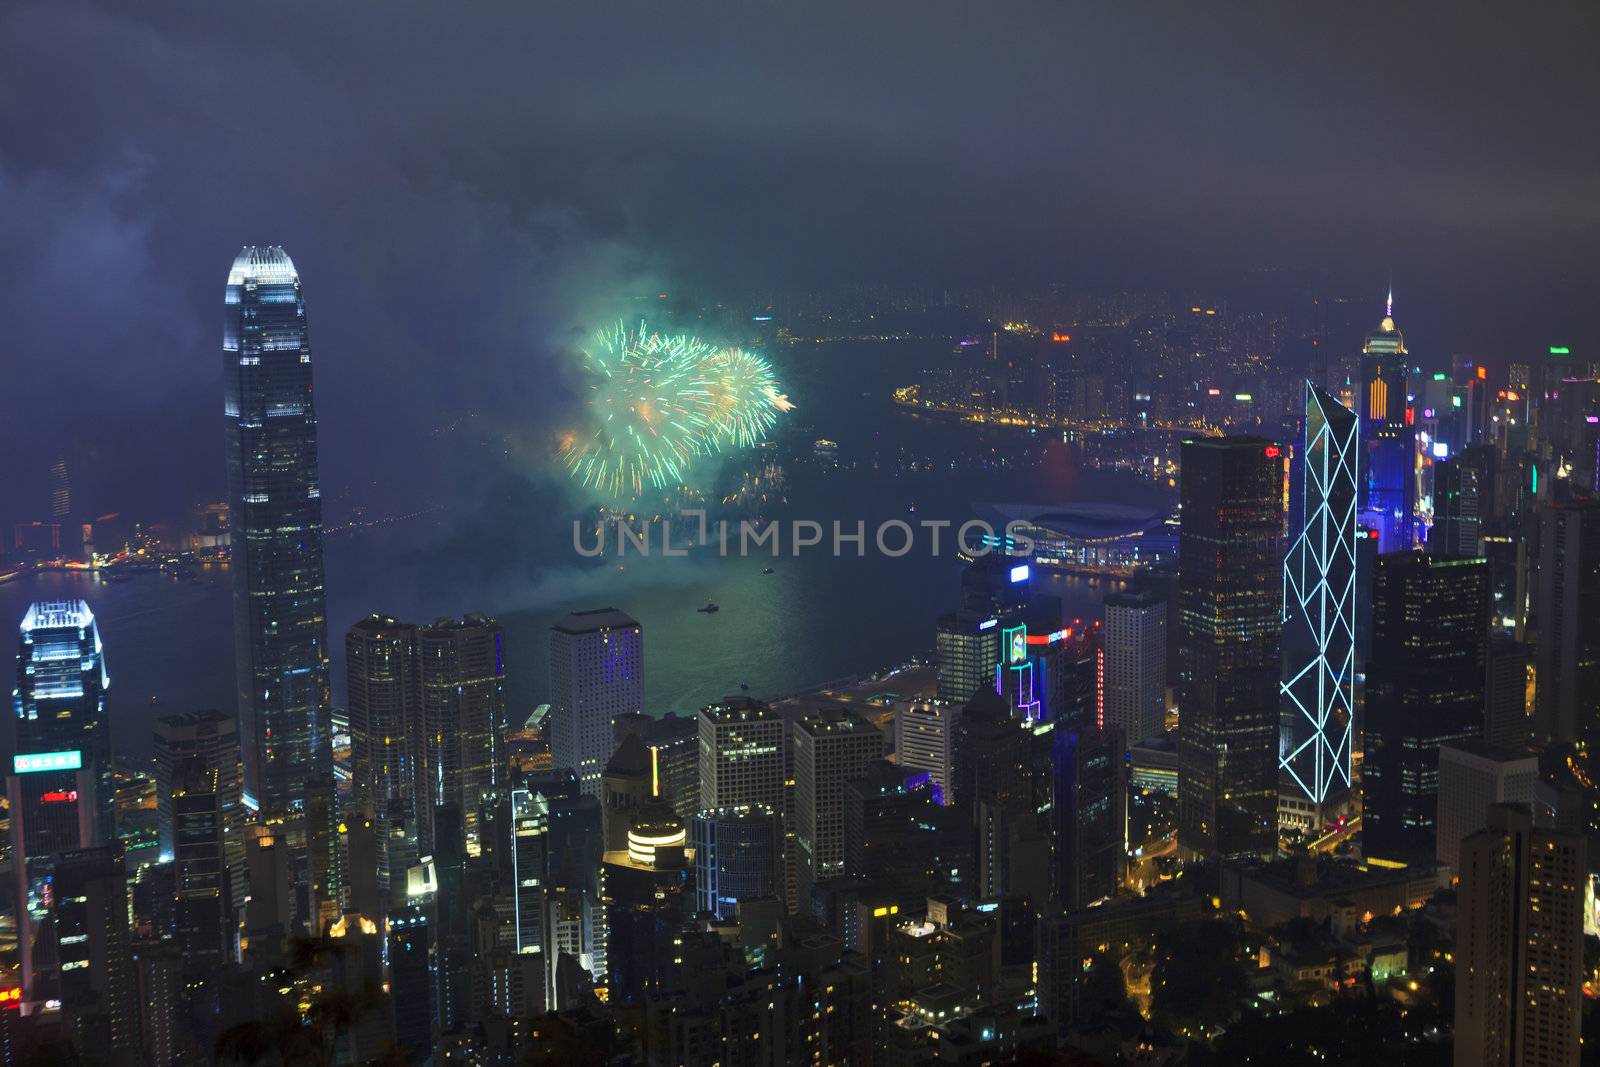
60,698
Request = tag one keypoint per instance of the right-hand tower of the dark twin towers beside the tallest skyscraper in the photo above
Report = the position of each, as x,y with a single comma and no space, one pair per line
463,677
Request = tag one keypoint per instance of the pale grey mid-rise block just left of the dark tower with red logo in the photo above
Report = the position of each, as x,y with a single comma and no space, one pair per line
1135,642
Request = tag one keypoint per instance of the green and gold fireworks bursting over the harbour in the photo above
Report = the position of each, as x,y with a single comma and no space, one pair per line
658,404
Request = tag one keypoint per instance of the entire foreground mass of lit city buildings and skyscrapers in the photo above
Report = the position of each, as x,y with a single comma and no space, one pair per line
1340,722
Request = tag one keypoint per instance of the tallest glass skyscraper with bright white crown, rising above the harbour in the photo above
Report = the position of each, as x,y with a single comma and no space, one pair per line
281,633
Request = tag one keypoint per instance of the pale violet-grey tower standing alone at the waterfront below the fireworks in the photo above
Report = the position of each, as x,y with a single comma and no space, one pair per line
598,673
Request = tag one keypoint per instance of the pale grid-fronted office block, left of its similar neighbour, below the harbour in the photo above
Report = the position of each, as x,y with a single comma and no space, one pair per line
742,756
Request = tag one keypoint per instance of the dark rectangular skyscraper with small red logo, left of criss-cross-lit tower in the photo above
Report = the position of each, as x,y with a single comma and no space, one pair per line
1231,545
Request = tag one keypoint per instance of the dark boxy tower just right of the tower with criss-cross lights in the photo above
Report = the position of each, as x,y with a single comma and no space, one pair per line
1425,689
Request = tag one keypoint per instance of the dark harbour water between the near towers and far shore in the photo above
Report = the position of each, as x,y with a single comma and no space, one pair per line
814,618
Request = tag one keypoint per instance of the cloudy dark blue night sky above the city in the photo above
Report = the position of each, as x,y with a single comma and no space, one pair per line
466,188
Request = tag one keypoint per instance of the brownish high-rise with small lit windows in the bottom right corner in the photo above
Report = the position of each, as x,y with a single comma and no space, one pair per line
1519,945
